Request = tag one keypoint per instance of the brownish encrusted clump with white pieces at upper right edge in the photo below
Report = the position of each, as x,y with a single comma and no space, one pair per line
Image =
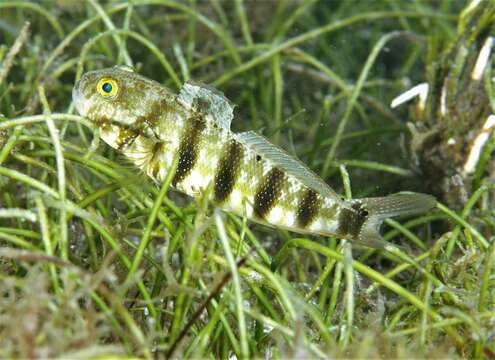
452,124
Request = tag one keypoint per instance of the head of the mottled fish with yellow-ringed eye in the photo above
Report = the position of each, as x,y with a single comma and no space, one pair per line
119,97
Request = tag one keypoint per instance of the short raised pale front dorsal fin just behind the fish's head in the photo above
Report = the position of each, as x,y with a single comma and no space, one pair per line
208,101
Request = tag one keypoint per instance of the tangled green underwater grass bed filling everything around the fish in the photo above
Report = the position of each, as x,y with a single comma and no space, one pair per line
96,260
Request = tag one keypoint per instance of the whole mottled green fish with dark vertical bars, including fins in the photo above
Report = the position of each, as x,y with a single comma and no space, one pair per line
247,174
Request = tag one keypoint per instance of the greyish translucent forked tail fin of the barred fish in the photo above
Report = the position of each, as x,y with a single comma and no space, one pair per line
380,208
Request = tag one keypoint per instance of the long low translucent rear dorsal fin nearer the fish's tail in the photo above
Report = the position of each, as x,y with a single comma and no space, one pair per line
290,164
